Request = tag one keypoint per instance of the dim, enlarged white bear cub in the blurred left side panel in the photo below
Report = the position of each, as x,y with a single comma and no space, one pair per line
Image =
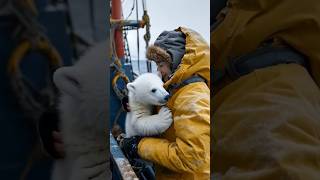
83,109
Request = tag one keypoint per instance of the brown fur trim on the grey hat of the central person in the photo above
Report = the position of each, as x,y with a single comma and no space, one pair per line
157,54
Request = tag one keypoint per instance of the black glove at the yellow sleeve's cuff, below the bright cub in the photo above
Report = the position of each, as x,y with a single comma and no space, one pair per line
129,146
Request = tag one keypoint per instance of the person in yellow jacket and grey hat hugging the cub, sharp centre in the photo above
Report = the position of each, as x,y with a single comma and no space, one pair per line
183,151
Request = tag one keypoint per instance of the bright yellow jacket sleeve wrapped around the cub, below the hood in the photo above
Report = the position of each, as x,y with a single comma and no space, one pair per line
190,152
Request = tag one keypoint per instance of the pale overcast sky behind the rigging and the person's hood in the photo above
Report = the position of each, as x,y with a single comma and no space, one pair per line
168,15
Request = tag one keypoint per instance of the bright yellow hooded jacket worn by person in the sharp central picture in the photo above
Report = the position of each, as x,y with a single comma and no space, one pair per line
183,151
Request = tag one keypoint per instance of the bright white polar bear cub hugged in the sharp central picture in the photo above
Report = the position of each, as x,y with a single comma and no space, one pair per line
145,92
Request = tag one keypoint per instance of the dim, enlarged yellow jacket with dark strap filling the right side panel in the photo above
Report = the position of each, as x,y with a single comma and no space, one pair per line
266,103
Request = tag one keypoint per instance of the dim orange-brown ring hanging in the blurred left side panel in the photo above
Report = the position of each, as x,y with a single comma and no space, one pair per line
33,102
